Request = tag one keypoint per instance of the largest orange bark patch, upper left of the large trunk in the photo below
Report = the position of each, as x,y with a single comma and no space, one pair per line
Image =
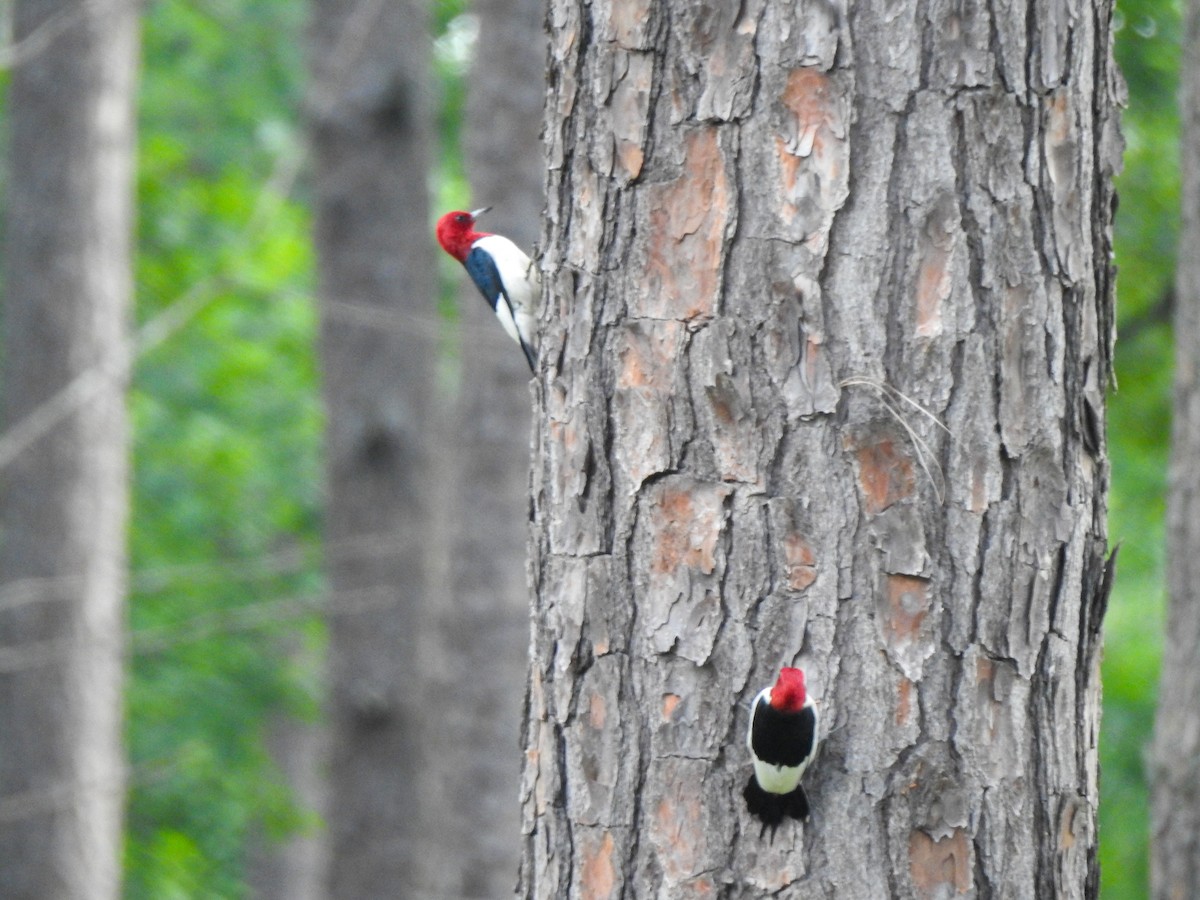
687,236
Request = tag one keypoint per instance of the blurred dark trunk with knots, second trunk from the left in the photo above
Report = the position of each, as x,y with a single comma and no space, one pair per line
371,129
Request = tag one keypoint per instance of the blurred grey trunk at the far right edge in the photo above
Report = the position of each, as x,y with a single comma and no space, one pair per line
1175,767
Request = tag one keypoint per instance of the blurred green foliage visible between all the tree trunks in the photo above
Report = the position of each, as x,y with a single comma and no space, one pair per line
225,545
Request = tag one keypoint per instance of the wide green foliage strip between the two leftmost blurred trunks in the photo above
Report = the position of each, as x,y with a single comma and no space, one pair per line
227,431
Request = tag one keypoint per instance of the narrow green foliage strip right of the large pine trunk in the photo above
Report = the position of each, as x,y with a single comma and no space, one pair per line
1148,49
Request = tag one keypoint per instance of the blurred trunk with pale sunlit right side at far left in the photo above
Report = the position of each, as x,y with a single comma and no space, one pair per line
64,500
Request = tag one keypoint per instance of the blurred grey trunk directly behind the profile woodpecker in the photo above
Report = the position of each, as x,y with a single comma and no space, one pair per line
477,650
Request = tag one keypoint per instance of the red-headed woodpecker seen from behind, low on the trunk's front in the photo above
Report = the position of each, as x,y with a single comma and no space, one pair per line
783,741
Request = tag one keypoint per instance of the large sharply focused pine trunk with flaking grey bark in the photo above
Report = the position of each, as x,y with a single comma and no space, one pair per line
782,238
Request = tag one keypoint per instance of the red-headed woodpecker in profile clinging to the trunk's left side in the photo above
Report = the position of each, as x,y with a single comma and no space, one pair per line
505,275
